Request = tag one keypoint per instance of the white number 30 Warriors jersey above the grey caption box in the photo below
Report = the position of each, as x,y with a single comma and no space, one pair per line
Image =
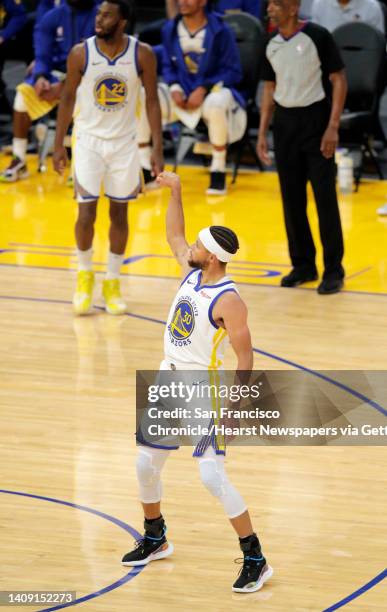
191,335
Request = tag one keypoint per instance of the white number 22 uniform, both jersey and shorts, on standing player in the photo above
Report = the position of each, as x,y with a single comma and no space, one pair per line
105,149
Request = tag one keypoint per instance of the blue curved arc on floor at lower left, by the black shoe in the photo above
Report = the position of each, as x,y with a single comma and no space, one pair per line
110,587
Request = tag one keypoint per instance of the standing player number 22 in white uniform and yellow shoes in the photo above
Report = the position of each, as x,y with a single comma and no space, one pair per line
104,75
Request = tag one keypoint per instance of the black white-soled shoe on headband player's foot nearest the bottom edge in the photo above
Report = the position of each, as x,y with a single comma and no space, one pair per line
255,571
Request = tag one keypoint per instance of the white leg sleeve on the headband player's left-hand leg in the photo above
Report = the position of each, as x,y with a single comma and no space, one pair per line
148,466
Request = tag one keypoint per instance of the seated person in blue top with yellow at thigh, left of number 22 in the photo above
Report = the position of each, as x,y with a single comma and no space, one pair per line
40,93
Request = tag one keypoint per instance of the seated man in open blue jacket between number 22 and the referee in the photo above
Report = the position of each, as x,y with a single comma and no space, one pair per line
201,70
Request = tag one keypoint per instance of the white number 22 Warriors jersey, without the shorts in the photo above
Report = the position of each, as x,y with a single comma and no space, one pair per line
108,93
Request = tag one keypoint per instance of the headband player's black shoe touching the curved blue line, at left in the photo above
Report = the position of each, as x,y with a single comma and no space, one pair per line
151,547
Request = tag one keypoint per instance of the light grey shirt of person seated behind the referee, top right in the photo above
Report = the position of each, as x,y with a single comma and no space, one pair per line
333,13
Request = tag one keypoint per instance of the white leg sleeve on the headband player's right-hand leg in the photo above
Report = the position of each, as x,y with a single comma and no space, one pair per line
215,480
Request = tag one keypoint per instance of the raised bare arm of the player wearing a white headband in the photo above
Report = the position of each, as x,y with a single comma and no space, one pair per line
175,225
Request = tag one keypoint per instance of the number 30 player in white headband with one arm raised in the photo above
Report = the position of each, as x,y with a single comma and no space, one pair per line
216,312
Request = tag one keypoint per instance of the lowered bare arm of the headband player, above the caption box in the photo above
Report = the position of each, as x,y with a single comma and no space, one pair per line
230,312
